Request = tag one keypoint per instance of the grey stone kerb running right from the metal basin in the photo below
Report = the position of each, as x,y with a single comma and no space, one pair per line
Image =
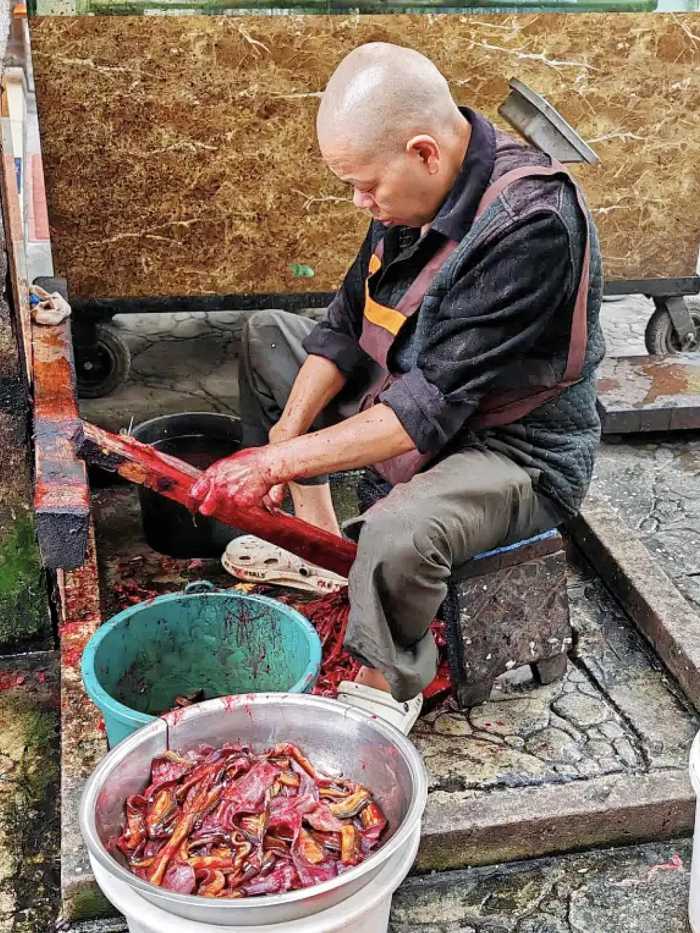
535,821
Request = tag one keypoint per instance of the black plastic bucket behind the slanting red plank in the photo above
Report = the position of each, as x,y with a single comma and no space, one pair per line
199,438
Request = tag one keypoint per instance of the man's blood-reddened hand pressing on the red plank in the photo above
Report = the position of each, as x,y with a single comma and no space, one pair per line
246,479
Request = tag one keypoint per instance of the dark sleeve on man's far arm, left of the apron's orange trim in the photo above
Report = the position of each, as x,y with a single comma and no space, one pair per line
337,336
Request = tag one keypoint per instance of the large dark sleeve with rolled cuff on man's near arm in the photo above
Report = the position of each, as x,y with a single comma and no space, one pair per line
501,326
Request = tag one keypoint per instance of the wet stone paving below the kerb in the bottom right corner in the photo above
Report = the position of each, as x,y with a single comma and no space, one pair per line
633,889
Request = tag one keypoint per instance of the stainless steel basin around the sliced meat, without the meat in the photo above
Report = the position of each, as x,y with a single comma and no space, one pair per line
336,738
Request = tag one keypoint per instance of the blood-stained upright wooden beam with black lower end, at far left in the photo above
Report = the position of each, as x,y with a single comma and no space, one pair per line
61,493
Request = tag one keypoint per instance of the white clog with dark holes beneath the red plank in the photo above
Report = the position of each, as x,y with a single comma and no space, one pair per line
256,561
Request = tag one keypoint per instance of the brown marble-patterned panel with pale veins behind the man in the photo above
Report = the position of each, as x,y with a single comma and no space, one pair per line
180,154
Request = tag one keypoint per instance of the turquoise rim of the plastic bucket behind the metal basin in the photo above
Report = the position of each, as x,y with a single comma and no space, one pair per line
104,700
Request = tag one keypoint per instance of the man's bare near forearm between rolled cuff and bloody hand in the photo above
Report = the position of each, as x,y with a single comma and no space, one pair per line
370,437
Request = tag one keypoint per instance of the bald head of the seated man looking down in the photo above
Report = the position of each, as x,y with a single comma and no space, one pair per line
388,126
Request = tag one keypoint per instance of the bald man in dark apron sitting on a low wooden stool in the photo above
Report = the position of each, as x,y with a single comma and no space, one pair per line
456,361
